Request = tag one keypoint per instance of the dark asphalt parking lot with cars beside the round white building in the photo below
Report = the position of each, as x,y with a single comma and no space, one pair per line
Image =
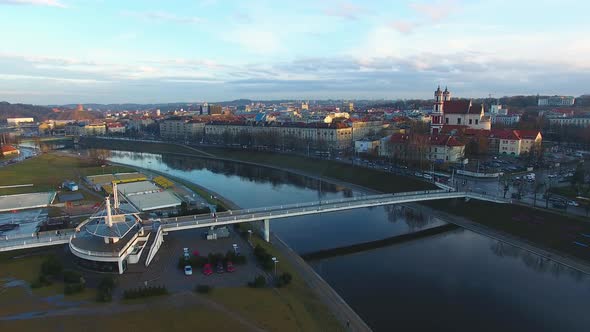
164,269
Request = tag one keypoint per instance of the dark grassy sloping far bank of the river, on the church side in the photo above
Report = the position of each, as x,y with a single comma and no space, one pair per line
543,229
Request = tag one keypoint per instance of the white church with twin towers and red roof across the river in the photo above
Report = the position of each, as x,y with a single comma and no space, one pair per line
459,112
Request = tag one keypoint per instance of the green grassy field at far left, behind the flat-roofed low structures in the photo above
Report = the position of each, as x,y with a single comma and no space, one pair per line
46,172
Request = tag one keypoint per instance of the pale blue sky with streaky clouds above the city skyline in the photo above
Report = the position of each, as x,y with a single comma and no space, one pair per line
149,51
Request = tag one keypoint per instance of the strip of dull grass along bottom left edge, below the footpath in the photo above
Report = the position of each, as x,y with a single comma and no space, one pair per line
153,318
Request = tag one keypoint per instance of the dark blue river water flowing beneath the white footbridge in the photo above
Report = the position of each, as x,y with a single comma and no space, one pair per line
456,281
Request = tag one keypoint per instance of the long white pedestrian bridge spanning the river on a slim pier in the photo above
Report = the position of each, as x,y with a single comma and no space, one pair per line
264,214
